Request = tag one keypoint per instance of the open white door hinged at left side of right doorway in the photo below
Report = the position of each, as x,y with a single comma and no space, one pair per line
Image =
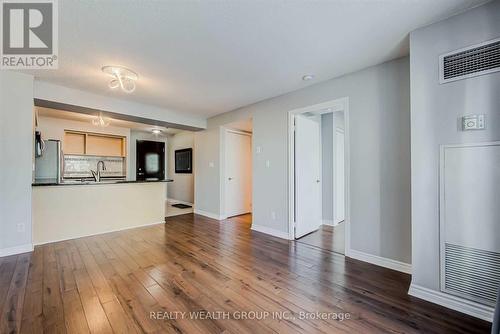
307,176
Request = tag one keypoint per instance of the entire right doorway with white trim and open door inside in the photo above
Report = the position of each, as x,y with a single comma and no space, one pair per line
319,178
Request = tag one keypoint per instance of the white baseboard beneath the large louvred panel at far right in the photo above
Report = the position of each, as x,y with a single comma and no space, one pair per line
452,302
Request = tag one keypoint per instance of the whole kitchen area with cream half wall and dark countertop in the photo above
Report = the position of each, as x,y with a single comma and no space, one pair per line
94,174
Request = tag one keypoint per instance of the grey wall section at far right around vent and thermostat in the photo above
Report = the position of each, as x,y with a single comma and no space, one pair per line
435,111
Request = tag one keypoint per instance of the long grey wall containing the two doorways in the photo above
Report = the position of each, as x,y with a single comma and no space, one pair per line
380,156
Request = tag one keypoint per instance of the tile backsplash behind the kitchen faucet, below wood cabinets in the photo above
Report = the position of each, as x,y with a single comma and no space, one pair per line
79,166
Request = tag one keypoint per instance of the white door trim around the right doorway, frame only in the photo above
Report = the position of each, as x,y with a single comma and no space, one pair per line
340,104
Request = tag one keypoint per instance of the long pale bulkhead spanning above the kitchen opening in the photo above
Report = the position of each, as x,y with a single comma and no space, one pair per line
55,93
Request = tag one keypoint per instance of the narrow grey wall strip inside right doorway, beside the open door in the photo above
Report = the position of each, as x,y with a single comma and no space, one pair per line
327,165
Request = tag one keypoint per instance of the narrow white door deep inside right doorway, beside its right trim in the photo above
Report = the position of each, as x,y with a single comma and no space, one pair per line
339,209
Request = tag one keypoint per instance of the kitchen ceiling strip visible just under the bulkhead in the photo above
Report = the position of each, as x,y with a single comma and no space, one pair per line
74,116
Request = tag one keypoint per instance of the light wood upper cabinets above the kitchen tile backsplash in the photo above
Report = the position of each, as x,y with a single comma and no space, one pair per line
94,144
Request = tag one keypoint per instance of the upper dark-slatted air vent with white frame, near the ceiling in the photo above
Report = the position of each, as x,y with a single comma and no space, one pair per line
472,61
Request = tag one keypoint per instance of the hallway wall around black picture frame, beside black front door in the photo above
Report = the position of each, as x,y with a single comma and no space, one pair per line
182,189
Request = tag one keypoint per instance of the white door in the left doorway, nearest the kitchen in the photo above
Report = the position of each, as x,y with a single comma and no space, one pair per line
238,170
